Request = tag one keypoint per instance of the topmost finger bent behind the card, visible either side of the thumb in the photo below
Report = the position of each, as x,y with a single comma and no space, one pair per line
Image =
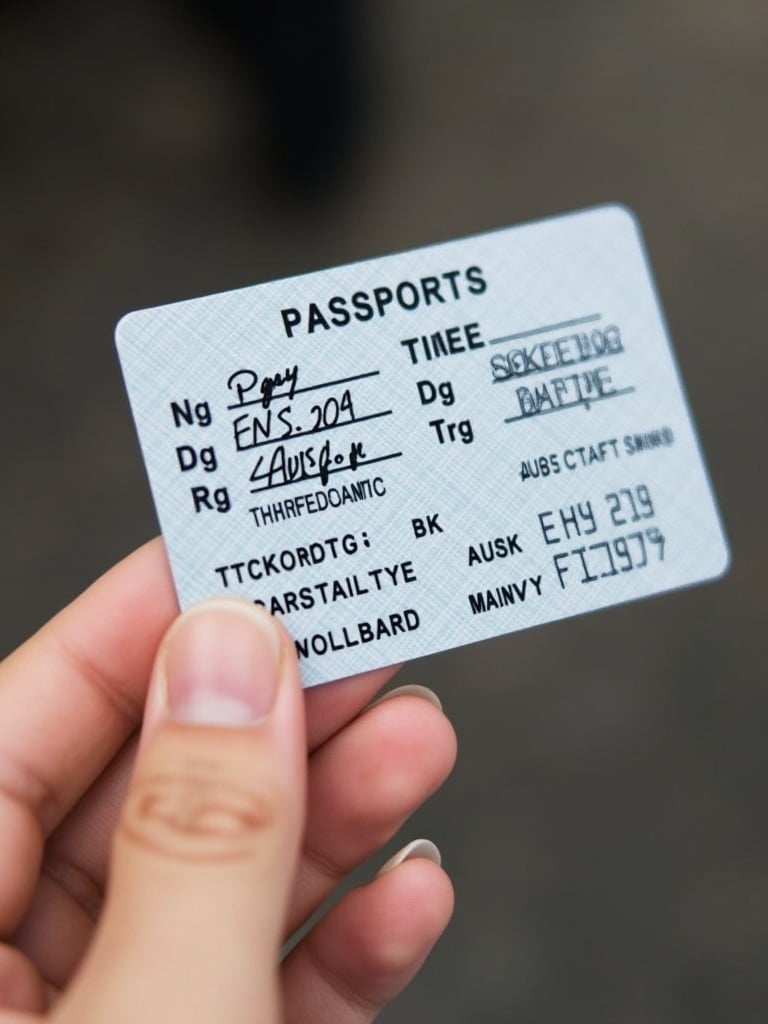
73,694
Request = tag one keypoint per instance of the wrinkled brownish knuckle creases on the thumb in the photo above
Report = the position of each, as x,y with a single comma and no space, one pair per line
198,816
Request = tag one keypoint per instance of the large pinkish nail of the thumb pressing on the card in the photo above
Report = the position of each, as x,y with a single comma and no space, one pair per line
220,665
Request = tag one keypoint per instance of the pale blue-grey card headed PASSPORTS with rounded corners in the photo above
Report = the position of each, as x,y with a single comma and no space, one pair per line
425,450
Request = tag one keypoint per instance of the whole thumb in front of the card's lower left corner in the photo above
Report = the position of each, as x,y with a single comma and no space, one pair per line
205,851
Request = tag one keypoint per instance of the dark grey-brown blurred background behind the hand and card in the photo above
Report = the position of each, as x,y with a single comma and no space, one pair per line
607,825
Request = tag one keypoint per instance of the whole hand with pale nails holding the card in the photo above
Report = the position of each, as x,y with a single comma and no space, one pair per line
230,837
